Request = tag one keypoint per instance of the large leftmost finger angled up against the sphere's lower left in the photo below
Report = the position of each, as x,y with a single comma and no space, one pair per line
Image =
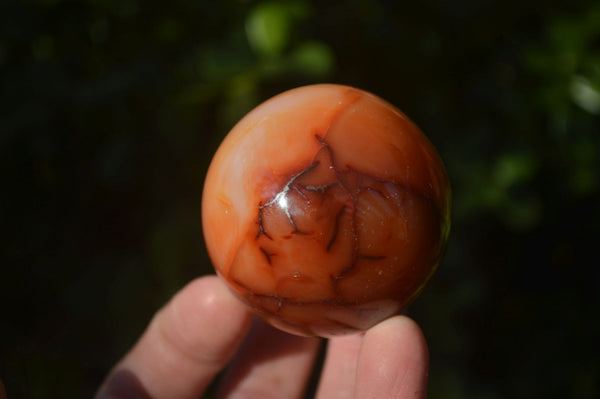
189,341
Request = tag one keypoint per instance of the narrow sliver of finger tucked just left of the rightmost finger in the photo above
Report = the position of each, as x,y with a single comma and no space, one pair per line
339,370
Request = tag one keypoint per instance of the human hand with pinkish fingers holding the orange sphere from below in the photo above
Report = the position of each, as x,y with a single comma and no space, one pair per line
204,328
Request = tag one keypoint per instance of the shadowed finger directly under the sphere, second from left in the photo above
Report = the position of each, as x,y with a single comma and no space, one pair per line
270,364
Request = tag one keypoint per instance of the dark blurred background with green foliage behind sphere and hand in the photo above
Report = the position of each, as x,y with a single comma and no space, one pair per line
112,109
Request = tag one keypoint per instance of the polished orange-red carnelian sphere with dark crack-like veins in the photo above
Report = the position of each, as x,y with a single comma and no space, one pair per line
326,210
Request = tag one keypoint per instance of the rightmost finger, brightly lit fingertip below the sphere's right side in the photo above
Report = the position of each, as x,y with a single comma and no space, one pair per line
393,361
